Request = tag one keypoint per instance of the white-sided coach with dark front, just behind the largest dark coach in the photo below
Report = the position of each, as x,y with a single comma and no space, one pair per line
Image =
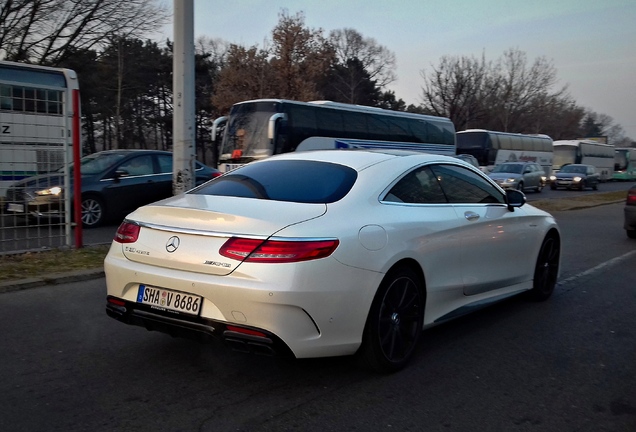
492,148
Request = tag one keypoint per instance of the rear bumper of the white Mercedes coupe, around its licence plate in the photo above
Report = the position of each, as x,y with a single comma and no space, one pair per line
315,314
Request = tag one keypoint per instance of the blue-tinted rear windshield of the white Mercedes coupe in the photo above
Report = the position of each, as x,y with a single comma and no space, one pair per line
289,180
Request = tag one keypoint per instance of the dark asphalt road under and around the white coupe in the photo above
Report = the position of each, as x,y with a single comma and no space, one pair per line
568,364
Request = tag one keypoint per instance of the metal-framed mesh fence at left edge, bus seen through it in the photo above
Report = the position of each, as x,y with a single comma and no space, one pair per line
39,114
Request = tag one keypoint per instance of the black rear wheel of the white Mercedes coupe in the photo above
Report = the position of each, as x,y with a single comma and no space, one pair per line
394,325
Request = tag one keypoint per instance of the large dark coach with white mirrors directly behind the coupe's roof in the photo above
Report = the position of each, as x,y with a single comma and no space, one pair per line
261,128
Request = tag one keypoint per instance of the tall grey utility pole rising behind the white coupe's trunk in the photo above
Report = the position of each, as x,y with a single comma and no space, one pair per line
183,140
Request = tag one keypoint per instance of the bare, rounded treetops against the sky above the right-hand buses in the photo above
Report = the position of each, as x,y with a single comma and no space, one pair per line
510,95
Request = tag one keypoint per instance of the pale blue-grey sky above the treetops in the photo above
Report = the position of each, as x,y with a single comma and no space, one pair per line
591,43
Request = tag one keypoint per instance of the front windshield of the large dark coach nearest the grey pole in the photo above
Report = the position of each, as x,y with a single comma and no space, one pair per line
246,132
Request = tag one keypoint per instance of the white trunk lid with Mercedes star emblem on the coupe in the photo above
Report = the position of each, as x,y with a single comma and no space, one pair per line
187,232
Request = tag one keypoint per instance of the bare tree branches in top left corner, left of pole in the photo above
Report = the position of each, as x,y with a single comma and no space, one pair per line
47,31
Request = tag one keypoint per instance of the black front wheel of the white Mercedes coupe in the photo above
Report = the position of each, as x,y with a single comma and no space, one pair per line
546,269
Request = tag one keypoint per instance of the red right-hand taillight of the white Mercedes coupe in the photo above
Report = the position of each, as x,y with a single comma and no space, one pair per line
277,251
